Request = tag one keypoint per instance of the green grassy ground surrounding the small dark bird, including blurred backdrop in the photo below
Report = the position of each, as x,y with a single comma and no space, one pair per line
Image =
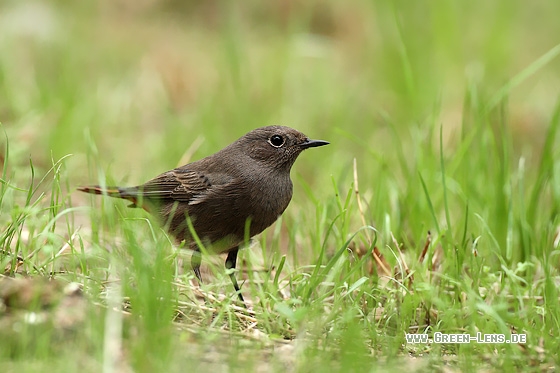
434,209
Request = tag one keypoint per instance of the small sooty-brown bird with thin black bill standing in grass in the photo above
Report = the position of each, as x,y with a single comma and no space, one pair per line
245,184
